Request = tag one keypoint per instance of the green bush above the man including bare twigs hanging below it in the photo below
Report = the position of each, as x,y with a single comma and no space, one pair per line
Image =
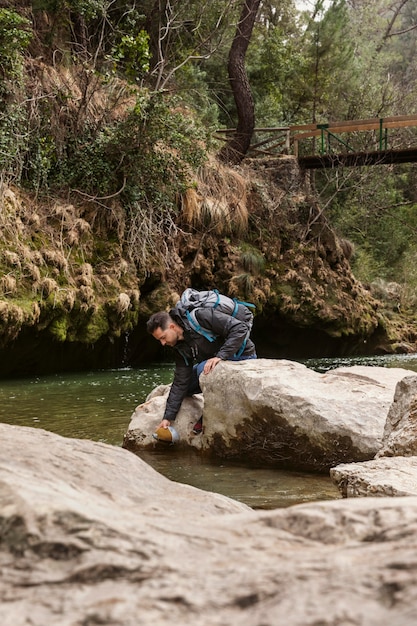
146,159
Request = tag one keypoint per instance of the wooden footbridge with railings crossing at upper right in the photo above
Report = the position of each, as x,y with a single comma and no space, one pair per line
334,144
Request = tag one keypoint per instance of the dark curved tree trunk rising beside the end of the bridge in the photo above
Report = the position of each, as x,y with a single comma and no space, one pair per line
236,148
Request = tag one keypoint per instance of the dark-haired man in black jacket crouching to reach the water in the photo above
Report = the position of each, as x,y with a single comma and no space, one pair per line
194,353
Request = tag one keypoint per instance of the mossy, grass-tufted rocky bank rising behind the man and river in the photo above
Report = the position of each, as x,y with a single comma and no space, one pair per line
71,297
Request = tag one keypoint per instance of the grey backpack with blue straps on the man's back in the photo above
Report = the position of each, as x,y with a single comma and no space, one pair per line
191,300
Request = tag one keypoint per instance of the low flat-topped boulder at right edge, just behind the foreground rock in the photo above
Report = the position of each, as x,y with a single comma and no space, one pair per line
388,476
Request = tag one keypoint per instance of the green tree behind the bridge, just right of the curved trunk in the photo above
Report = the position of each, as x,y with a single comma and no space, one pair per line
302,68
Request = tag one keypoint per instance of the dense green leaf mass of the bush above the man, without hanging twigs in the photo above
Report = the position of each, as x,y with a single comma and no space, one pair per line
148,153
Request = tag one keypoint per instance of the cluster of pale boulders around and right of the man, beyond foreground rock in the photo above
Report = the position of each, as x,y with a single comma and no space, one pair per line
357,422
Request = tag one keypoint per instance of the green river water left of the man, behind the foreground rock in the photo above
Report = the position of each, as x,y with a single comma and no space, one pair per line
93,405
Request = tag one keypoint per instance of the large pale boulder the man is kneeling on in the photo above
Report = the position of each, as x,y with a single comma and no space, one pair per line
283,413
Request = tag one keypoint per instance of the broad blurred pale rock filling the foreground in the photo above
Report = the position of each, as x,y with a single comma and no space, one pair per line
91,535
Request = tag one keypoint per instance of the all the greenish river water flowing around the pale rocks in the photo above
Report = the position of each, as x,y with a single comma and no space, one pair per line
98,405
